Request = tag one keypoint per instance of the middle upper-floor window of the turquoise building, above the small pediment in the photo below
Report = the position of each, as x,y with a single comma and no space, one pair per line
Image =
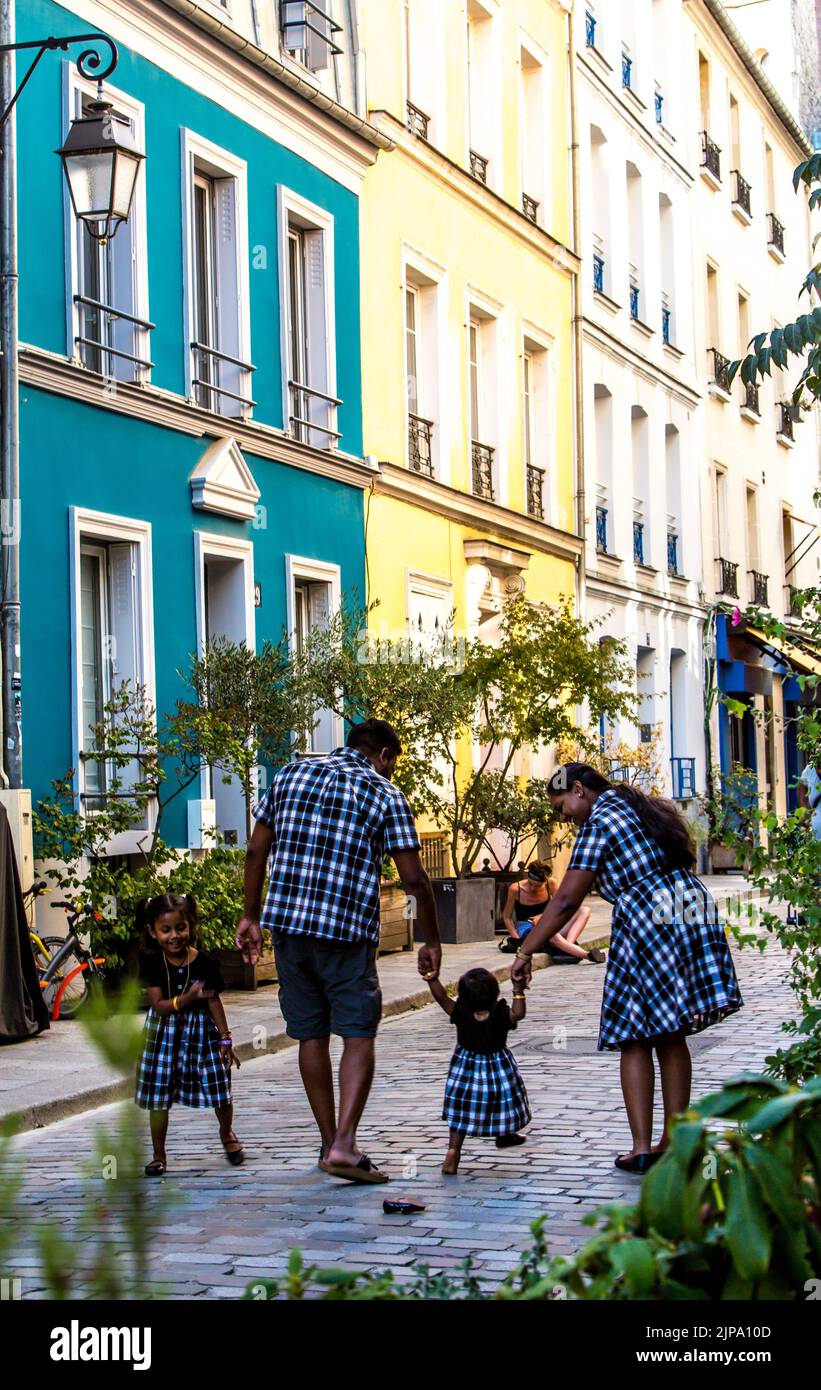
216,281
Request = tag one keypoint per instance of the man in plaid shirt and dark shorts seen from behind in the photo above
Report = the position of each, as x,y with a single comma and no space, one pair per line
327,825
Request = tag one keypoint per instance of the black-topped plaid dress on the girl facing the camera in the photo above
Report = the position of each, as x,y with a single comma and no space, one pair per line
181,1060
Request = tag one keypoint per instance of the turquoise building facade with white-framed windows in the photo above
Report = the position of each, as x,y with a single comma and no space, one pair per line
191,398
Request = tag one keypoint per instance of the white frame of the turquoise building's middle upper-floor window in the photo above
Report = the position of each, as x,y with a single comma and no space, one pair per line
201,155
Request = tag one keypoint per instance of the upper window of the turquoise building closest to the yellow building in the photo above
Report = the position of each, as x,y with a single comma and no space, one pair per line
310,404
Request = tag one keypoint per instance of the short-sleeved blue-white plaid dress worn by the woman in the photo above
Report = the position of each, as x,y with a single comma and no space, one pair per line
669,967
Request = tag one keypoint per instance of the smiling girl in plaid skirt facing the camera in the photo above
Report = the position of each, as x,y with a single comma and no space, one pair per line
188,1052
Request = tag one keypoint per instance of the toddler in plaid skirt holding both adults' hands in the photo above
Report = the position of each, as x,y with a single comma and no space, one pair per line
484,1093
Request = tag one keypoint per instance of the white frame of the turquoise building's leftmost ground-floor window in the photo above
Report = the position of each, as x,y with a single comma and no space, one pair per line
87,528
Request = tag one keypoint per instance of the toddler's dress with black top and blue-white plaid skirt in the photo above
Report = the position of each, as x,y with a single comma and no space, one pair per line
484,1093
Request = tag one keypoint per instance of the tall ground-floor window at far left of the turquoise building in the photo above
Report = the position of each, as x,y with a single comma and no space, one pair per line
113,643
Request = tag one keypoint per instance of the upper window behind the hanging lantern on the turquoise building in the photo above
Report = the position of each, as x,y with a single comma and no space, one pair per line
109,295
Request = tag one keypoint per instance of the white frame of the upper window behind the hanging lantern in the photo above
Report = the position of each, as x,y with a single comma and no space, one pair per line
76,88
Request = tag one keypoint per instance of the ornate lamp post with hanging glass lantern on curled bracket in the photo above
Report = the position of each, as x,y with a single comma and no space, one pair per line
102,165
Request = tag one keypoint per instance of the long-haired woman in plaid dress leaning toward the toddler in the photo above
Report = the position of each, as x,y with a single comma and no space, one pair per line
670,972
